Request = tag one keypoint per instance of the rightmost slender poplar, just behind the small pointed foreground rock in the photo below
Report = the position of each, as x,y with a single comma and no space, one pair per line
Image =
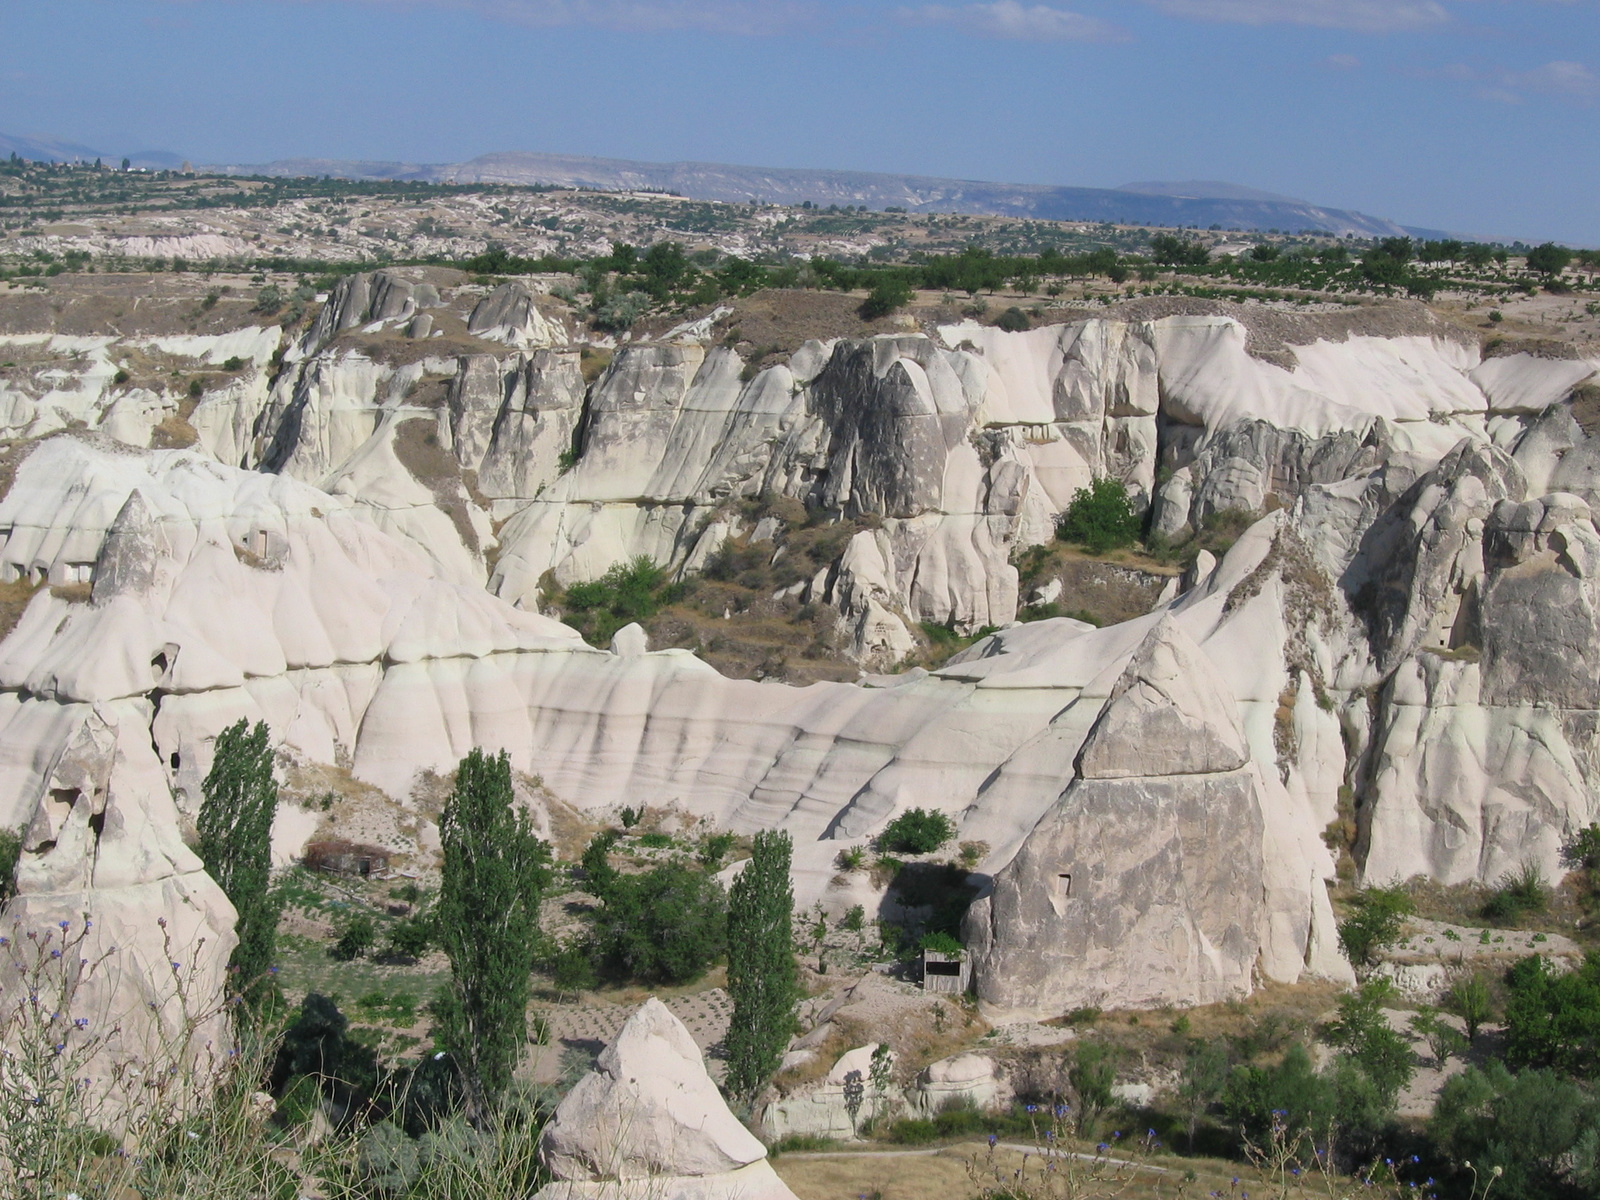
761,966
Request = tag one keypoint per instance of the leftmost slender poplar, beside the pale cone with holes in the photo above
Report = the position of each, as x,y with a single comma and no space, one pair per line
236,846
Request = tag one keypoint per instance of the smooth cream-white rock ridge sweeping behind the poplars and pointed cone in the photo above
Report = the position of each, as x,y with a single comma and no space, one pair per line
225,594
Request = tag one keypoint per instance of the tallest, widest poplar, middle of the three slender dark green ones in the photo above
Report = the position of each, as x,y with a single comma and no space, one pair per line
489,924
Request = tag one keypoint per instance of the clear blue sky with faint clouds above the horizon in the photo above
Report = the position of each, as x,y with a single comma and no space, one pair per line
1479,116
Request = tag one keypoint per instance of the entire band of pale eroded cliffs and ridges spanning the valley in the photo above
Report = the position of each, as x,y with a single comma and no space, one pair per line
354,551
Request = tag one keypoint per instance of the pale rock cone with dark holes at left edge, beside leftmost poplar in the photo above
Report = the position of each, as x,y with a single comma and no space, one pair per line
103,846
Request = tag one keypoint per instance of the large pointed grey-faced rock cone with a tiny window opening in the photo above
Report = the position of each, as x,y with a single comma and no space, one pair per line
1143,886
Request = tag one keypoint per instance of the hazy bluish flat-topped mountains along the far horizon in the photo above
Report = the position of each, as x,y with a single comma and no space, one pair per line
1201,204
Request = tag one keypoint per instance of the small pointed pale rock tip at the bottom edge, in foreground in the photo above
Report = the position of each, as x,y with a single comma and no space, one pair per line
649,1121
